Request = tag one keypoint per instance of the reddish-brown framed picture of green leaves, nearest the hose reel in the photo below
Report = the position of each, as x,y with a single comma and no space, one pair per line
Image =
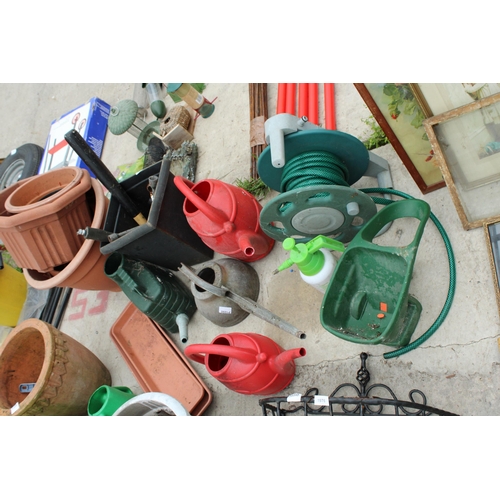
400,115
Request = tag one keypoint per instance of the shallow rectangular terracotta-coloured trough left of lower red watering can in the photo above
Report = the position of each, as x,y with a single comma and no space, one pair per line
156,362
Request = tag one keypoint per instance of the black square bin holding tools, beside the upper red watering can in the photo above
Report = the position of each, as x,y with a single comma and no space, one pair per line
166,239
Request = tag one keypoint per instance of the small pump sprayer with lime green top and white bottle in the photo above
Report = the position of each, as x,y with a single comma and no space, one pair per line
314,259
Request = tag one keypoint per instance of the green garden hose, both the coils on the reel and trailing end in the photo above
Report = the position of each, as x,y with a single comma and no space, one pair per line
315,168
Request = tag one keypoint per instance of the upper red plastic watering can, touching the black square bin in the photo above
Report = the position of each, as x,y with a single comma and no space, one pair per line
225,217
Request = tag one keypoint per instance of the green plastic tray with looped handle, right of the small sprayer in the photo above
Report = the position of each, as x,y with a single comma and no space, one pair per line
367,300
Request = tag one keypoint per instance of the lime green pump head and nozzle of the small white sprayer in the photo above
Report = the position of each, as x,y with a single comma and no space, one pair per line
307,256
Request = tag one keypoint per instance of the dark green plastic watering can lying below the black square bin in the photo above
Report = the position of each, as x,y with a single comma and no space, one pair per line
154,291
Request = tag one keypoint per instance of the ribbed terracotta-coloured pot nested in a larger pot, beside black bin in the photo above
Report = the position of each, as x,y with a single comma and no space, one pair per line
40,218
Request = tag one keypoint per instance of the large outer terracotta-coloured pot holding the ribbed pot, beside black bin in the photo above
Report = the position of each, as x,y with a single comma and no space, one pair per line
86,269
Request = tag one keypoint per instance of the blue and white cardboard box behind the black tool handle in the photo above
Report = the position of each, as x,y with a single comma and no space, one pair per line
90,120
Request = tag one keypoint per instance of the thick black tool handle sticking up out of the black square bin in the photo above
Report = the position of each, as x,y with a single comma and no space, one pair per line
107,179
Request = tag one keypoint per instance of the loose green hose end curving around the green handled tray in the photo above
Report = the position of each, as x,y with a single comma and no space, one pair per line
451,260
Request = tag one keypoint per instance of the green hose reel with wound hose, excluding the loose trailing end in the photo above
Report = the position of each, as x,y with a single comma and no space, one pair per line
316,197
